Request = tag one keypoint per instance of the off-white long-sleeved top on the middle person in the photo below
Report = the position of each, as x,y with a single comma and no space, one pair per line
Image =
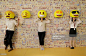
41,25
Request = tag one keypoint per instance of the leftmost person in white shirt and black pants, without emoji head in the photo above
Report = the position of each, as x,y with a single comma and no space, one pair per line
10,24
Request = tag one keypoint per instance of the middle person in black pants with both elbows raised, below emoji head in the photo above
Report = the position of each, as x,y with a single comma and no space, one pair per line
41,30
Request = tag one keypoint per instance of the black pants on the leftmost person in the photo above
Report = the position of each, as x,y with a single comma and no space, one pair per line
8,38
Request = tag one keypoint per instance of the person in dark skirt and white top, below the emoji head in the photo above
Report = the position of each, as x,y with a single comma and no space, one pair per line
73,31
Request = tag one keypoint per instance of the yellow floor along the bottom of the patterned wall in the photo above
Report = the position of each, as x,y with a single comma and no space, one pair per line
78,51
